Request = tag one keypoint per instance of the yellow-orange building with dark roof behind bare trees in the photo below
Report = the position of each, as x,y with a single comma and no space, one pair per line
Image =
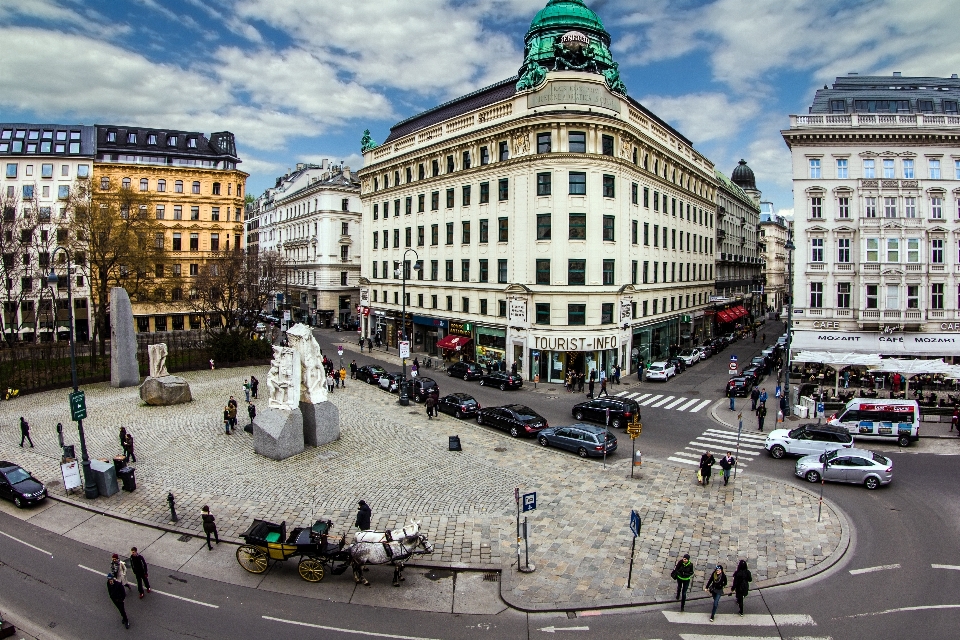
197,194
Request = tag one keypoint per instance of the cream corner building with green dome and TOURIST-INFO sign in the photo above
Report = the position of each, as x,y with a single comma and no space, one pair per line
561,225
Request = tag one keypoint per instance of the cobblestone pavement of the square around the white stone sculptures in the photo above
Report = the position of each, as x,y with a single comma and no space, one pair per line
398,461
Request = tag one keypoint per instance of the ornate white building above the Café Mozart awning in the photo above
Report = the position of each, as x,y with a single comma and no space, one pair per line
876,166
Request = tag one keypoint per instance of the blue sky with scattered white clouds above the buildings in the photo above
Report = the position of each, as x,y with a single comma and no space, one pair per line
299,80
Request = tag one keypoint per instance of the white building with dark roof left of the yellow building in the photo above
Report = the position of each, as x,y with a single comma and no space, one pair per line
41,166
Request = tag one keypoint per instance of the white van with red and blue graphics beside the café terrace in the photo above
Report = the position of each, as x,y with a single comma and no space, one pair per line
874,418
